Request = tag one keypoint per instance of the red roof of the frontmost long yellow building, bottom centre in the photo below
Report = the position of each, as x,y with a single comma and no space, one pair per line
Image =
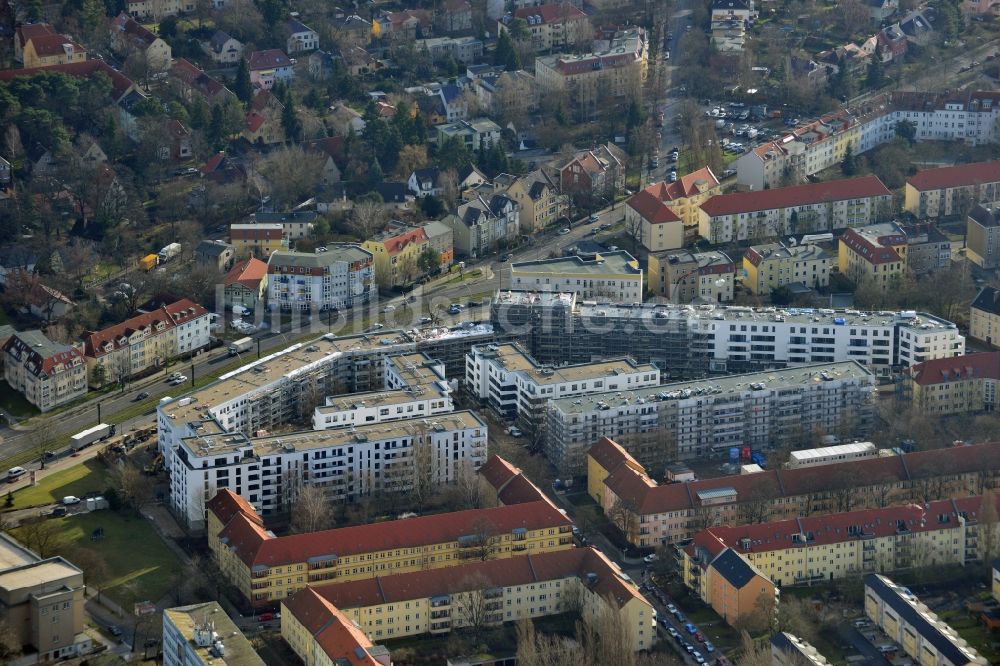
508,572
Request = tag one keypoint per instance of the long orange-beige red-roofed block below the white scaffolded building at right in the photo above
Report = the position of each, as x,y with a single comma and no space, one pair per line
671,512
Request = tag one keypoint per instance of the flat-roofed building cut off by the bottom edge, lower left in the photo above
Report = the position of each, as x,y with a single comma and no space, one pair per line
202,634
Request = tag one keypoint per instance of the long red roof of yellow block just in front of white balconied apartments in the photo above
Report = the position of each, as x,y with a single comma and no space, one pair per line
255,550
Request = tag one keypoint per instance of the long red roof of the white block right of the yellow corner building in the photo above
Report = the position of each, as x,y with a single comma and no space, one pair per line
799,195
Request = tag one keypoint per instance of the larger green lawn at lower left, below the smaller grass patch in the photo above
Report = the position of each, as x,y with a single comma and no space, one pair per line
137,565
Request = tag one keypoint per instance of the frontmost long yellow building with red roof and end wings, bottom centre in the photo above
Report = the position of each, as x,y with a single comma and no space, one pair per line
490,592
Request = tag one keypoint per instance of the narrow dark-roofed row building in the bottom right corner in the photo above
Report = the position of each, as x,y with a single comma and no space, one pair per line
924,636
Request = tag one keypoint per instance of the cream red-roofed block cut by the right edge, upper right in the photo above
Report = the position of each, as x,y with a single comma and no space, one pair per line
951,190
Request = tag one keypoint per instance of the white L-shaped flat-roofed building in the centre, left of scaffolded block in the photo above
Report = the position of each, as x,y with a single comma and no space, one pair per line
514,385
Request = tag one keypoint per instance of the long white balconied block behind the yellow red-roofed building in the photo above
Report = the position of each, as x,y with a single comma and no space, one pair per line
346,462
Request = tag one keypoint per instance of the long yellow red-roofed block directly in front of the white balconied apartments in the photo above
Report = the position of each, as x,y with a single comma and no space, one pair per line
266,568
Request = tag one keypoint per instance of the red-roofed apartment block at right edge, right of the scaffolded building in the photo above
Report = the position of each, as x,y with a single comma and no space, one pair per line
960,385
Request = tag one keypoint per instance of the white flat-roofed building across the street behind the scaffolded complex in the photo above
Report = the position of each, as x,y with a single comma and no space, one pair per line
614,276
